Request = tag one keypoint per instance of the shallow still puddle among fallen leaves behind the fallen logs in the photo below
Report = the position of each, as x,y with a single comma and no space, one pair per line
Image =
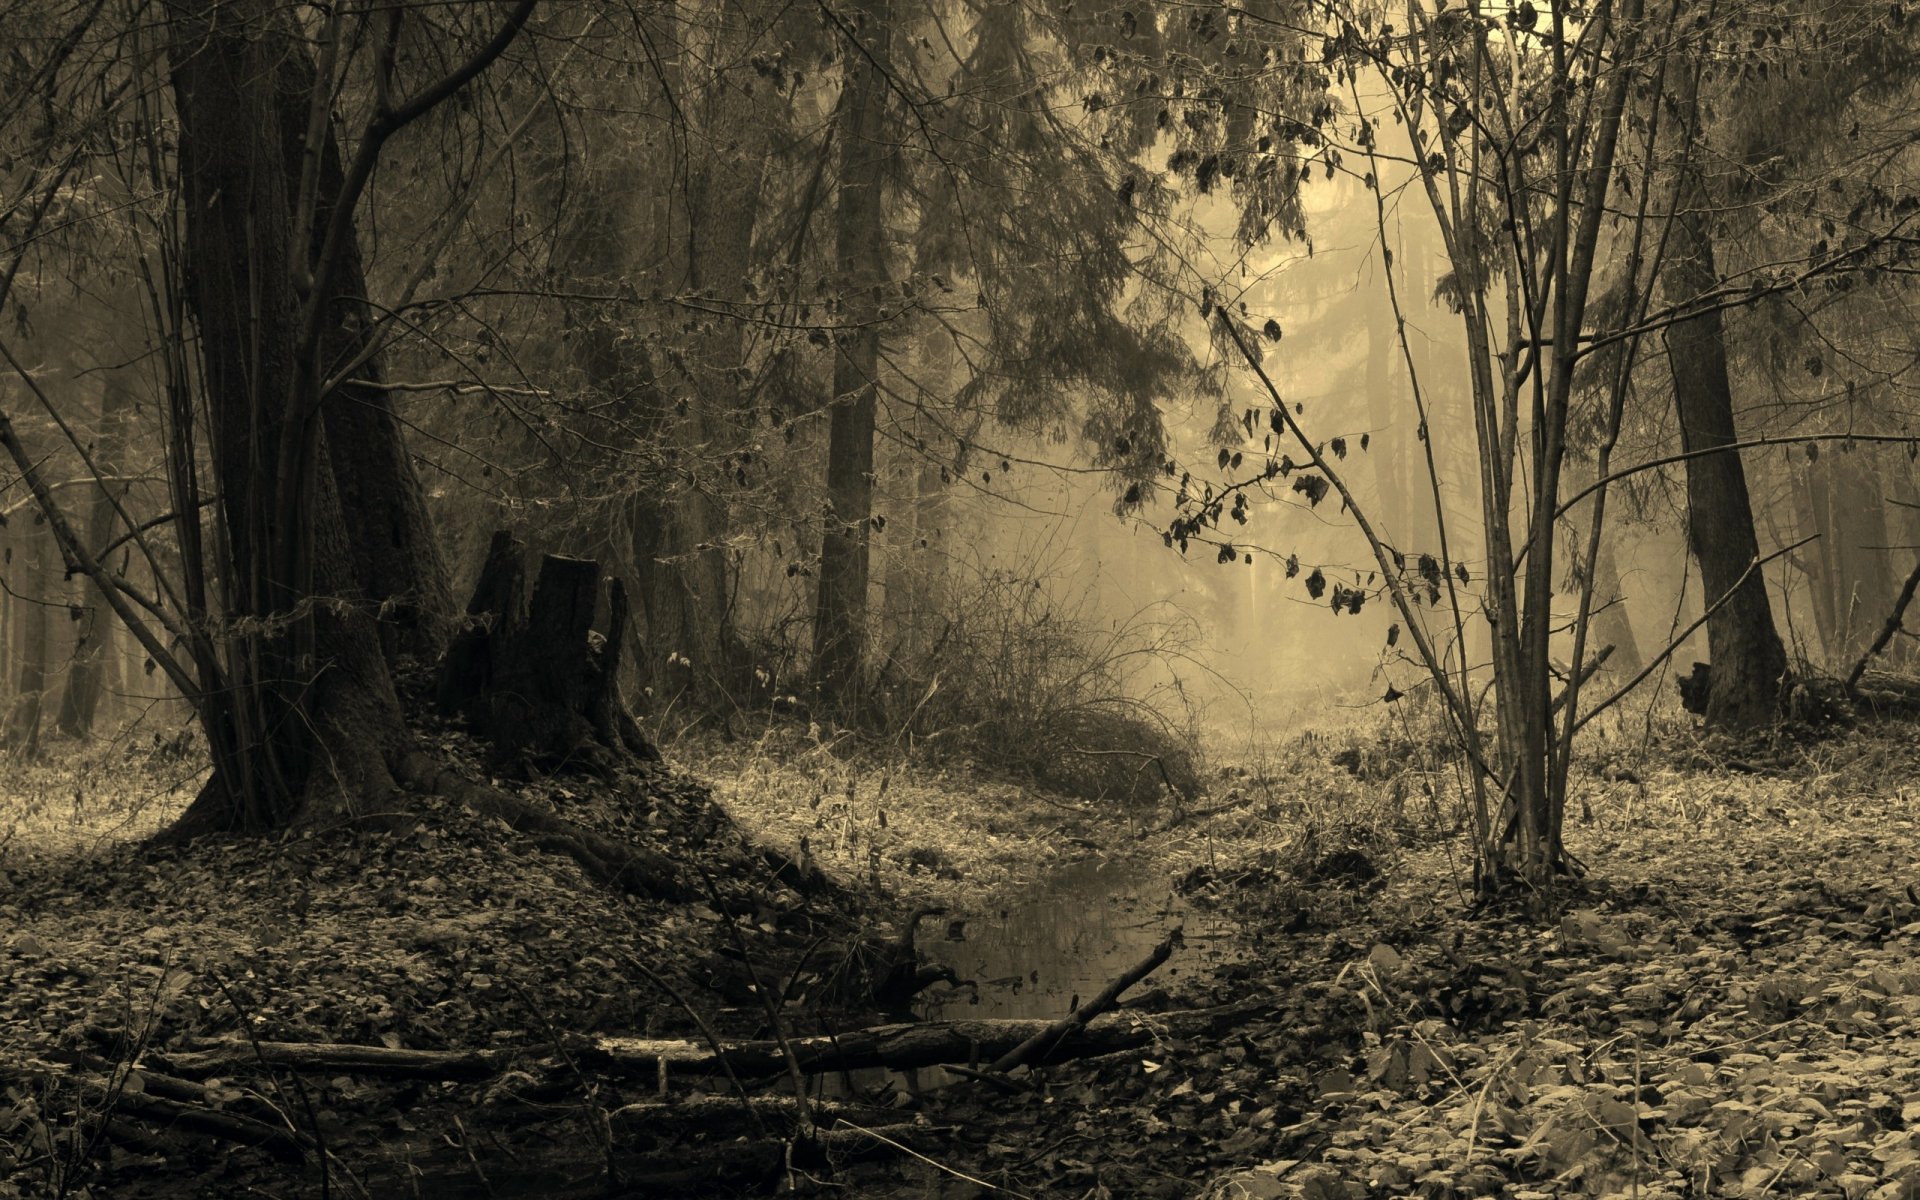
1067,940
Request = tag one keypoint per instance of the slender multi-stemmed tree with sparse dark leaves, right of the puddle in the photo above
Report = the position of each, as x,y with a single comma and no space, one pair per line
1512,130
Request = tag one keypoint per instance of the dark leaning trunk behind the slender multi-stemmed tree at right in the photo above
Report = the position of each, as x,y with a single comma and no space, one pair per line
1742,642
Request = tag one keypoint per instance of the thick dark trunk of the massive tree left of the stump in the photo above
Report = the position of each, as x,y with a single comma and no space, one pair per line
308,715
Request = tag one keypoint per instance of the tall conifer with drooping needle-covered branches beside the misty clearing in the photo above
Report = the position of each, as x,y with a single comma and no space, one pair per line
1063,312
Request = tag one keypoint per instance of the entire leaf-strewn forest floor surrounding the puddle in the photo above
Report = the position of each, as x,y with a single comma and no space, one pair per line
1727,1005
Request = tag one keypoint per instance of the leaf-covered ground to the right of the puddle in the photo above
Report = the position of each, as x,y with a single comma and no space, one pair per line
1727,1009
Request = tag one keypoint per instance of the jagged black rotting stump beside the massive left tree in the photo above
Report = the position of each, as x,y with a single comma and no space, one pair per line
539,679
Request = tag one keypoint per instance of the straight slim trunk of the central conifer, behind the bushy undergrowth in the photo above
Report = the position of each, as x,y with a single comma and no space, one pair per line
840,617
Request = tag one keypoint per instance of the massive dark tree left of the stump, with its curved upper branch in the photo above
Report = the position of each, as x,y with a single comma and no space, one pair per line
306,717
